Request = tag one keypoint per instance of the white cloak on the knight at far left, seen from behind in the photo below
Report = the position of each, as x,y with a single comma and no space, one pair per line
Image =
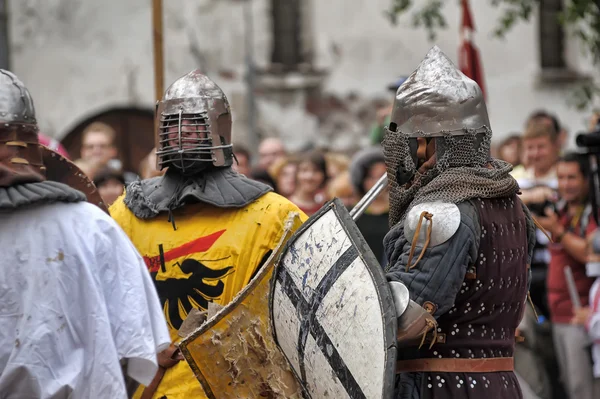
75,299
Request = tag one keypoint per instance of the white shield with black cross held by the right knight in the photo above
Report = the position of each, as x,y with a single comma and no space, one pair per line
332,310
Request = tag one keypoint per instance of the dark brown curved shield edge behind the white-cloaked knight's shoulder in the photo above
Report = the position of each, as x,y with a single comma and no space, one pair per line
60,169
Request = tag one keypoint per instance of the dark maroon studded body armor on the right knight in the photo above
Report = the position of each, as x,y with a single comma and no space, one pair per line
478,318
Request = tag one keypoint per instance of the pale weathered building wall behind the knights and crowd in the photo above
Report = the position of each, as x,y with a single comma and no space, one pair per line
80,58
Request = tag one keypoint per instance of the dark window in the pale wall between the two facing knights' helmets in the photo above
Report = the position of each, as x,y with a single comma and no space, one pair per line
287,50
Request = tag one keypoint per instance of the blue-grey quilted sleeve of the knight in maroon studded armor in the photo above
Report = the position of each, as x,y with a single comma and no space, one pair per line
438,276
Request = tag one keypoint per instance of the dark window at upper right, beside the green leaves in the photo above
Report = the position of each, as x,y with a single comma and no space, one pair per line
552,35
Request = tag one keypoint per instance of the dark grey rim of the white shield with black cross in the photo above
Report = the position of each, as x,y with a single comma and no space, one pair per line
381,287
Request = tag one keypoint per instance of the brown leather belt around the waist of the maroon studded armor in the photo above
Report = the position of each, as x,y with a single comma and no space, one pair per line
485,365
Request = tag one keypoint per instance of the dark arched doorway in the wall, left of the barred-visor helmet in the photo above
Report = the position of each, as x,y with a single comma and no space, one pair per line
134,138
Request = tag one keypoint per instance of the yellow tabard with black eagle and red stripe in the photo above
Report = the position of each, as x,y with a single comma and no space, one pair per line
210,257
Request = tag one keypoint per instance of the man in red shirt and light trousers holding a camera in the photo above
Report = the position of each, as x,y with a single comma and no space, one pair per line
569,222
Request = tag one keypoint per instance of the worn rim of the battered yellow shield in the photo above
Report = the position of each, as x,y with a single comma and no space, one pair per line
274,257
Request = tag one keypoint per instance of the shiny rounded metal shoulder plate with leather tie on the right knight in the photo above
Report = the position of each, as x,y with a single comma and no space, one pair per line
446,220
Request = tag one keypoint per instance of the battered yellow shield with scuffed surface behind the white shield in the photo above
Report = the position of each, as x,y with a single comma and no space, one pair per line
233,354
